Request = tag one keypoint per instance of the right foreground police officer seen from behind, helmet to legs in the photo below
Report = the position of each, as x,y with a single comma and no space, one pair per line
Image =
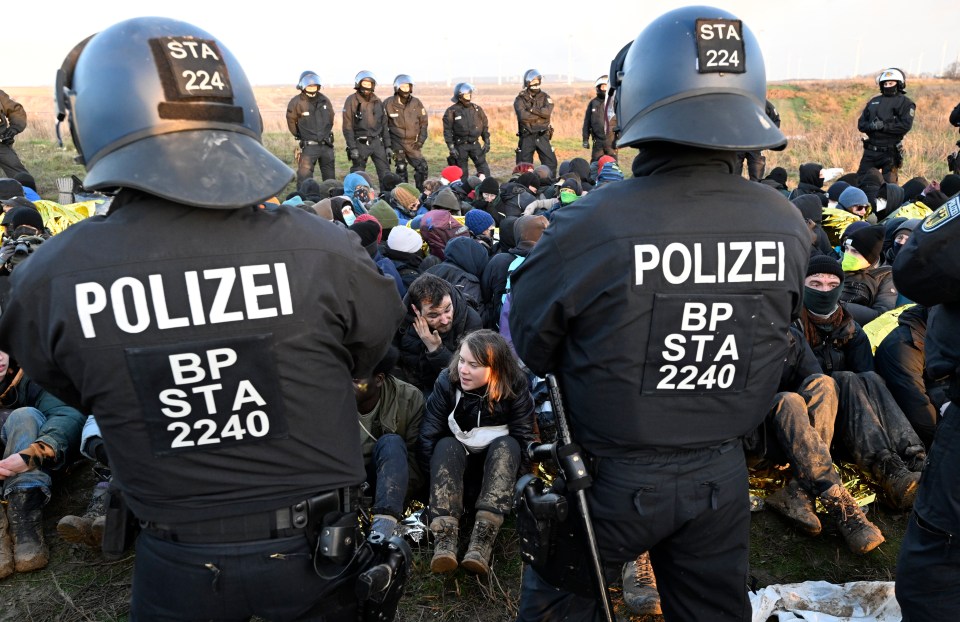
667,323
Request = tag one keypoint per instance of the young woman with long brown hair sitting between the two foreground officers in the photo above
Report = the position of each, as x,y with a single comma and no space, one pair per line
478,422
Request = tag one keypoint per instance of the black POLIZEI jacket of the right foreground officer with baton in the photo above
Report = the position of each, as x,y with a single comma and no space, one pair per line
663,302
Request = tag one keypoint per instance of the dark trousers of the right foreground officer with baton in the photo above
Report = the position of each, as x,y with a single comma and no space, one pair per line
690,509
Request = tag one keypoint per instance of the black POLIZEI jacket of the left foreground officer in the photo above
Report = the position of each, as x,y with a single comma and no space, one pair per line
216,348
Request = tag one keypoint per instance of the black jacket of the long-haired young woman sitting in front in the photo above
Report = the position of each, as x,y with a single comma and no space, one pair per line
516,413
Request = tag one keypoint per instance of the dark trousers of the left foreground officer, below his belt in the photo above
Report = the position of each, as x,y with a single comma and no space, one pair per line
272,579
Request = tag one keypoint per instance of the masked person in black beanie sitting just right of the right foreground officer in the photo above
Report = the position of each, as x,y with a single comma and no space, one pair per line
871,426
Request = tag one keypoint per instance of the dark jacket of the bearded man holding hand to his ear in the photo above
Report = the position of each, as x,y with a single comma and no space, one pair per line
422,367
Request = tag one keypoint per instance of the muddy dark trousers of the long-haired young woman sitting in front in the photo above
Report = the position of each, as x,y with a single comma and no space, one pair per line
451,464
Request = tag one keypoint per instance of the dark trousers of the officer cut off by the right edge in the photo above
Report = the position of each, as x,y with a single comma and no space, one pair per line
928,570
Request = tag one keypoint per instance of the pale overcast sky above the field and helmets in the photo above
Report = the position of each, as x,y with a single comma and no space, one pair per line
436,41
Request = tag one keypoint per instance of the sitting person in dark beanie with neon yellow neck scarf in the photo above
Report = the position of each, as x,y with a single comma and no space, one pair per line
868,288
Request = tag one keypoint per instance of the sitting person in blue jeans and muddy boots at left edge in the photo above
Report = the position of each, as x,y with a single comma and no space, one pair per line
40,434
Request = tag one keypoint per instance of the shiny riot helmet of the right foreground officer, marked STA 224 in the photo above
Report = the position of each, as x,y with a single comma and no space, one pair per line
695,76
